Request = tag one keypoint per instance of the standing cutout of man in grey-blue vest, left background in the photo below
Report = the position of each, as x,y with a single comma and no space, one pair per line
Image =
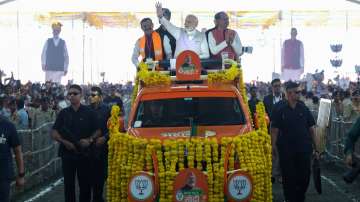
54,57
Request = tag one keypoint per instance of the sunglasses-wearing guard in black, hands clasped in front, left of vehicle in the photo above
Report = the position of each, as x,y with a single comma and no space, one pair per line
75,129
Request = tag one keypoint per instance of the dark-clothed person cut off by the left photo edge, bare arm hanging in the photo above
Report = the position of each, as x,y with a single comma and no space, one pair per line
9,140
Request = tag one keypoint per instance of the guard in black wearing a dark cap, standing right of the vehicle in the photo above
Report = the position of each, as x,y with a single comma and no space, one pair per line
292,131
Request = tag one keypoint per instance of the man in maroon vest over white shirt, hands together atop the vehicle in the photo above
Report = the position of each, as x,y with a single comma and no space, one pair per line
224,40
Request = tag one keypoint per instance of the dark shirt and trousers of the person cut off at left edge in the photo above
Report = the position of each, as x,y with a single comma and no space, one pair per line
8,140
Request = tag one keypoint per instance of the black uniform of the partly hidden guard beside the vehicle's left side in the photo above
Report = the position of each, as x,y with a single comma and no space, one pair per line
100,157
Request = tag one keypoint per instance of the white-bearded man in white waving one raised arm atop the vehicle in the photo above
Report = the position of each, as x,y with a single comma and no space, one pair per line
187,38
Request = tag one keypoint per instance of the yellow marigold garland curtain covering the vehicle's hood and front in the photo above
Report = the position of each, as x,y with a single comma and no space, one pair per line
252,149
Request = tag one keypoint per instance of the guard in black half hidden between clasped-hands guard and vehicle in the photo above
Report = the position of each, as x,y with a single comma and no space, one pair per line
100,158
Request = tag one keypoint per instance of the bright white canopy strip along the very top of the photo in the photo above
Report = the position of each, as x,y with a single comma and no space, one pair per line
174,5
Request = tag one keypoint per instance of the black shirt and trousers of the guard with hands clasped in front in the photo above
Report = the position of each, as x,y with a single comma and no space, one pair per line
73,126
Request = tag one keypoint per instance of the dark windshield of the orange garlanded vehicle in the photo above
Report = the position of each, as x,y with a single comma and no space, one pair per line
204,111
